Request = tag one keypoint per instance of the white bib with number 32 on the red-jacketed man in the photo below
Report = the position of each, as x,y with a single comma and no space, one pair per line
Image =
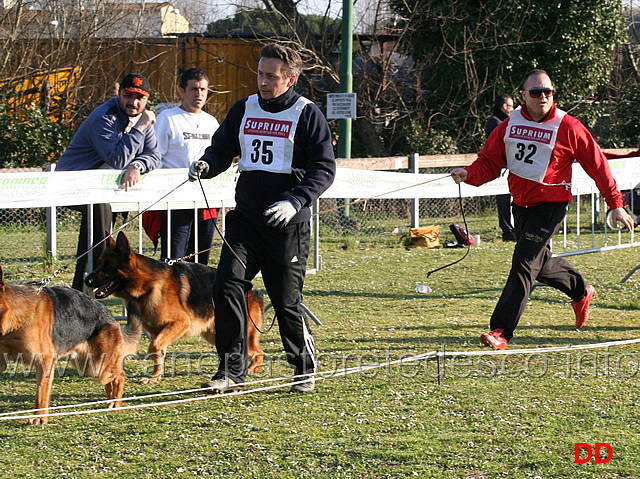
529,145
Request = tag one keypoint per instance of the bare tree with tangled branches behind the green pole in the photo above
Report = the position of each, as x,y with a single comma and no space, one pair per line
387,88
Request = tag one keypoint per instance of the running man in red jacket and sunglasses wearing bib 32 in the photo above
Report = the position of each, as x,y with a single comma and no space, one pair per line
538,144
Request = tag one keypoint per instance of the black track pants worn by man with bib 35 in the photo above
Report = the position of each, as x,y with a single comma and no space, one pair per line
281,255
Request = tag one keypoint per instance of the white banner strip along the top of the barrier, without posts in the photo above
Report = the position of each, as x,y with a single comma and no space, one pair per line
64,188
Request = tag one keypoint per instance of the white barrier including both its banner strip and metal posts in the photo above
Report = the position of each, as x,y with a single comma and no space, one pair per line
53,189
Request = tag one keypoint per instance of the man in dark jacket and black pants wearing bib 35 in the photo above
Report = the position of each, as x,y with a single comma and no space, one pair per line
286,163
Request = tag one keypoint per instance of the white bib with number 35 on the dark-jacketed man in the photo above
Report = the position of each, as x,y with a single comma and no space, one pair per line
266,139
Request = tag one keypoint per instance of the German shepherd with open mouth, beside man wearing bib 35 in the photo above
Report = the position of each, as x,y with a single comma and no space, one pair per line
175,300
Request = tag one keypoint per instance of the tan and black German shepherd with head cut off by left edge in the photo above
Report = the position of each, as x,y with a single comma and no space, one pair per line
42,325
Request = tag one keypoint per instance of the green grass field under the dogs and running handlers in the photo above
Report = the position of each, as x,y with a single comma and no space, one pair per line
491,416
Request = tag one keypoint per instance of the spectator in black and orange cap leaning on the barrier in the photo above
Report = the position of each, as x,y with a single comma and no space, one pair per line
115,135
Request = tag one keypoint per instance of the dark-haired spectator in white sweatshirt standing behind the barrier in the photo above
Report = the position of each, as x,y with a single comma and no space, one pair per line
183,133
